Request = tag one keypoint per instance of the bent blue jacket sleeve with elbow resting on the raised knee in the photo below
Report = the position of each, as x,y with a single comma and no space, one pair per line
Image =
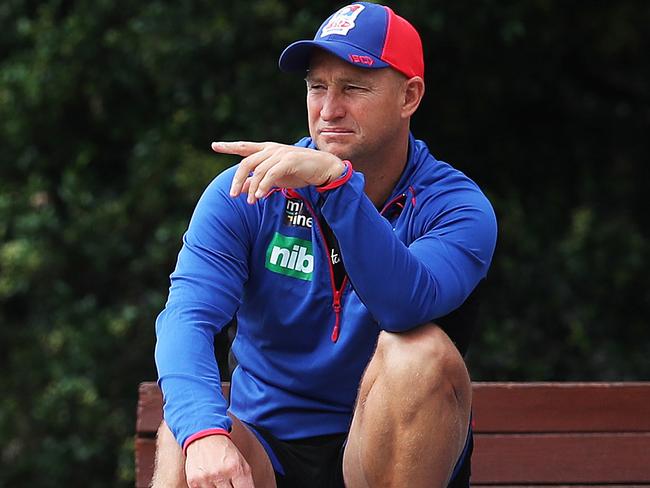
404,286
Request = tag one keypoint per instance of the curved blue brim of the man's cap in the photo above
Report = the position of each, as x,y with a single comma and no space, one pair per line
297,55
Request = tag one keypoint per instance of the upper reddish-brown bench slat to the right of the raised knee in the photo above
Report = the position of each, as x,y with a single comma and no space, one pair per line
561,407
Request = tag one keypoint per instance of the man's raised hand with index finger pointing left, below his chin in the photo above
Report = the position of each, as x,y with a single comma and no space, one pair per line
269,164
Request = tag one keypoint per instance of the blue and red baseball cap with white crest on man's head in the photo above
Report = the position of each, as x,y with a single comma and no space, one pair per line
364,34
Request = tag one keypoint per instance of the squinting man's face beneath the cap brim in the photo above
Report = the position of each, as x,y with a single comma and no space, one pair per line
354,113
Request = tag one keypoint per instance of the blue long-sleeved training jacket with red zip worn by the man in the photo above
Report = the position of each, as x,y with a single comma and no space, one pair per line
302,345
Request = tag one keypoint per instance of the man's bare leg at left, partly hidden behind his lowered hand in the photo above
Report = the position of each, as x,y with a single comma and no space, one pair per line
169,471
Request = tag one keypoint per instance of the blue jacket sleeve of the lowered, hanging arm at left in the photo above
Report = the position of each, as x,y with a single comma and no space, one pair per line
206,289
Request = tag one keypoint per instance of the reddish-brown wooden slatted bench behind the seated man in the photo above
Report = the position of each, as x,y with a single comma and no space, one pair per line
542,434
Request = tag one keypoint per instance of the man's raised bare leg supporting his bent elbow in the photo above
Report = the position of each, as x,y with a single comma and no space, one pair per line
412,414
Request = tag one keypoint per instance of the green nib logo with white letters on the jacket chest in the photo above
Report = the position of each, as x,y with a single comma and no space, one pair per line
290,256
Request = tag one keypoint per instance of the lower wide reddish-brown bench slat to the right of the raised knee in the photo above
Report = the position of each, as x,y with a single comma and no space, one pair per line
561,458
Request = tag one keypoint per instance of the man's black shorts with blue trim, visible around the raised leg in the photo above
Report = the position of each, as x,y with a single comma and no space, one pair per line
317,462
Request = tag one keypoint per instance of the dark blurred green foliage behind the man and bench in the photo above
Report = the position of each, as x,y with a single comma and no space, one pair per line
107,110
